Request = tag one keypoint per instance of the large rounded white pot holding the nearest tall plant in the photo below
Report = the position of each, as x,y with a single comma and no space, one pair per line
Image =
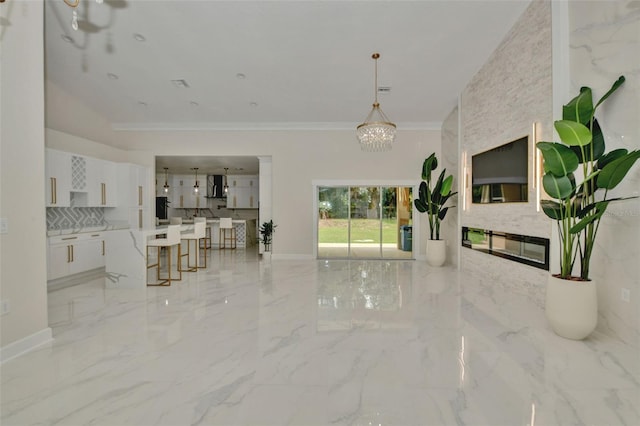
571,307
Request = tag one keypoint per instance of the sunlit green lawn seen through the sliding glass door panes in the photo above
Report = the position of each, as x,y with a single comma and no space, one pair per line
362,230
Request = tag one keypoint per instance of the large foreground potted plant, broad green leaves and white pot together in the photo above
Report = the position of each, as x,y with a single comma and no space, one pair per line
577,207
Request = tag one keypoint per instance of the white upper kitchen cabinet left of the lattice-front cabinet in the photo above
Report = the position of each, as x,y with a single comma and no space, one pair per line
58,178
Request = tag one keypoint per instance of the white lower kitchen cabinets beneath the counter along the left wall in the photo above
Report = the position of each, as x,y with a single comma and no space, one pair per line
72,254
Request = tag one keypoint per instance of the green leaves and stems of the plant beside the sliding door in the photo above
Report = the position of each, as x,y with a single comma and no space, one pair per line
432,198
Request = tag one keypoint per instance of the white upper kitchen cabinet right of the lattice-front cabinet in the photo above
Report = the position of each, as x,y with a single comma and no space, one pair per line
101,183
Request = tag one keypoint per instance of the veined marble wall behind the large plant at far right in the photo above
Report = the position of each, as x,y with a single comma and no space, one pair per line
604,43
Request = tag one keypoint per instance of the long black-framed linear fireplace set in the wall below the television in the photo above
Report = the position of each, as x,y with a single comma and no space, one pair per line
532,251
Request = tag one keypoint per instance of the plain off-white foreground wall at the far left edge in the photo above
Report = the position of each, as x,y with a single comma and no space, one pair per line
23,280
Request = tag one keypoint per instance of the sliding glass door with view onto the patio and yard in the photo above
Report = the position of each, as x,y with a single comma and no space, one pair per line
364,222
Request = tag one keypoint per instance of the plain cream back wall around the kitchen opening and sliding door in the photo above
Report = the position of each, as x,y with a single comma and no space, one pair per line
298,158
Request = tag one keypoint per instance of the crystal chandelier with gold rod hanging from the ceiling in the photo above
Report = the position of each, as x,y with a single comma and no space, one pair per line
377,132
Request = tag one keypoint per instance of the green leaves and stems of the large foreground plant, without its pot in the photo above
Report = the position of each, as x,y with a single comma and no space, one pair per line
578,207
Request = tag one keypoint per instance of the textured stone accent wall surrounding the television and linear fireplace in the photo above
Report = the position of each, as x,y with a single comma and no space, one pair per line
511,91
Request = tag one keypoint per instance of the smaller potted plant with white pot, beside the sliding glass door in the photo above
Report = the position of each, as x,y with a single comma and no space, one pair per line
432,198
